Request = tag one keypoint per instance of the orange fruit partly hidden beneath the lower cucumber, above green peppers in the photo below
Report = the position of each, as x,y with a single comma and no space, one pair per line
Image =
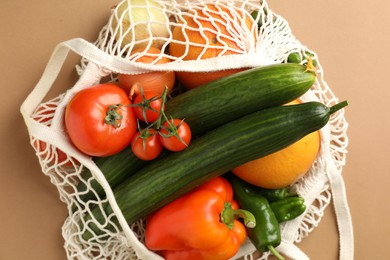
282,168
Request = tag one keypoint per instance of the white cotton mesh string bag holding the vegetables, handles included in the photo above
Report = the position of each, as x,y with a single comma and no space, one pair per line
266,39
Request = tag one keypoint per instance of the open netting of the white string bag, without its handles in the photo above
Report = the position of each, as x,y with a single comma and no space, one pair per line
270,43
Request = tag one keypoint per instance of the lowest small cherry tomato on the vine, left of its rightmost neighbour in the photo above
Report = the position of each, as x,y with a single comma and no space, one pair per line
146,145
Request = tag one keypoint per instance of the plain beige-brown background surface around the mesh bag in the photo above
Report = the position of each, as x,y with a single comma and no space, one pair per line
352,41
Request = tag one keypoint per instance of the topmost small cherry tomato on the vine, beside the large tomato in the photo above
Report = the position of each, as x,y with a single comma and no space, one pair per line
148,106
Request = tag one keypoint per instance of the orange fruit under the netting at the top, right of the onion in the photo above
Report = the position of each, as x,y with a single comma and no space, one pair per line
210,32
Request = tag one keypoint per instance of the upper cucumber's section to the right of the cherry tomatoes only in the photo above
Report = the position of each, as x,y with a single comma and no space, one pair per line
213,104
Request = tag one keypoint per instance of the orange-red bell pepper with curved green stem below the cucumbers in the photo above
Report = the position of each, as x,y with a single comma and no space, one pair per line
199,225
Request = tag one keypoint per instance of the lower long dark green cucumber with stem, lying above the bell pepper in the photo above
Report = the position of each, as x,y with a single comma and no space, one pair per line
215,153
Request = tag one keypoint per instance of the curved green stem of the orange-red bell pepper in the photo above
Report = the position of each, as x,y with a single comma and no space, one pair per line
228,215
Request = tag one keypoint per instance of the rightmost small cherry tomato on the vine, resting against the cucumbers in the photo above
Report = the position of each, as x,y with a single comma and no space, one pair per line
175,135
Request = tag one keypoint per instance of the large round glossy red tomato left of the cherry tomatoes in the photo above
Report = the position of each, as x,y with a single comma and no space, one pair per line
85,120
